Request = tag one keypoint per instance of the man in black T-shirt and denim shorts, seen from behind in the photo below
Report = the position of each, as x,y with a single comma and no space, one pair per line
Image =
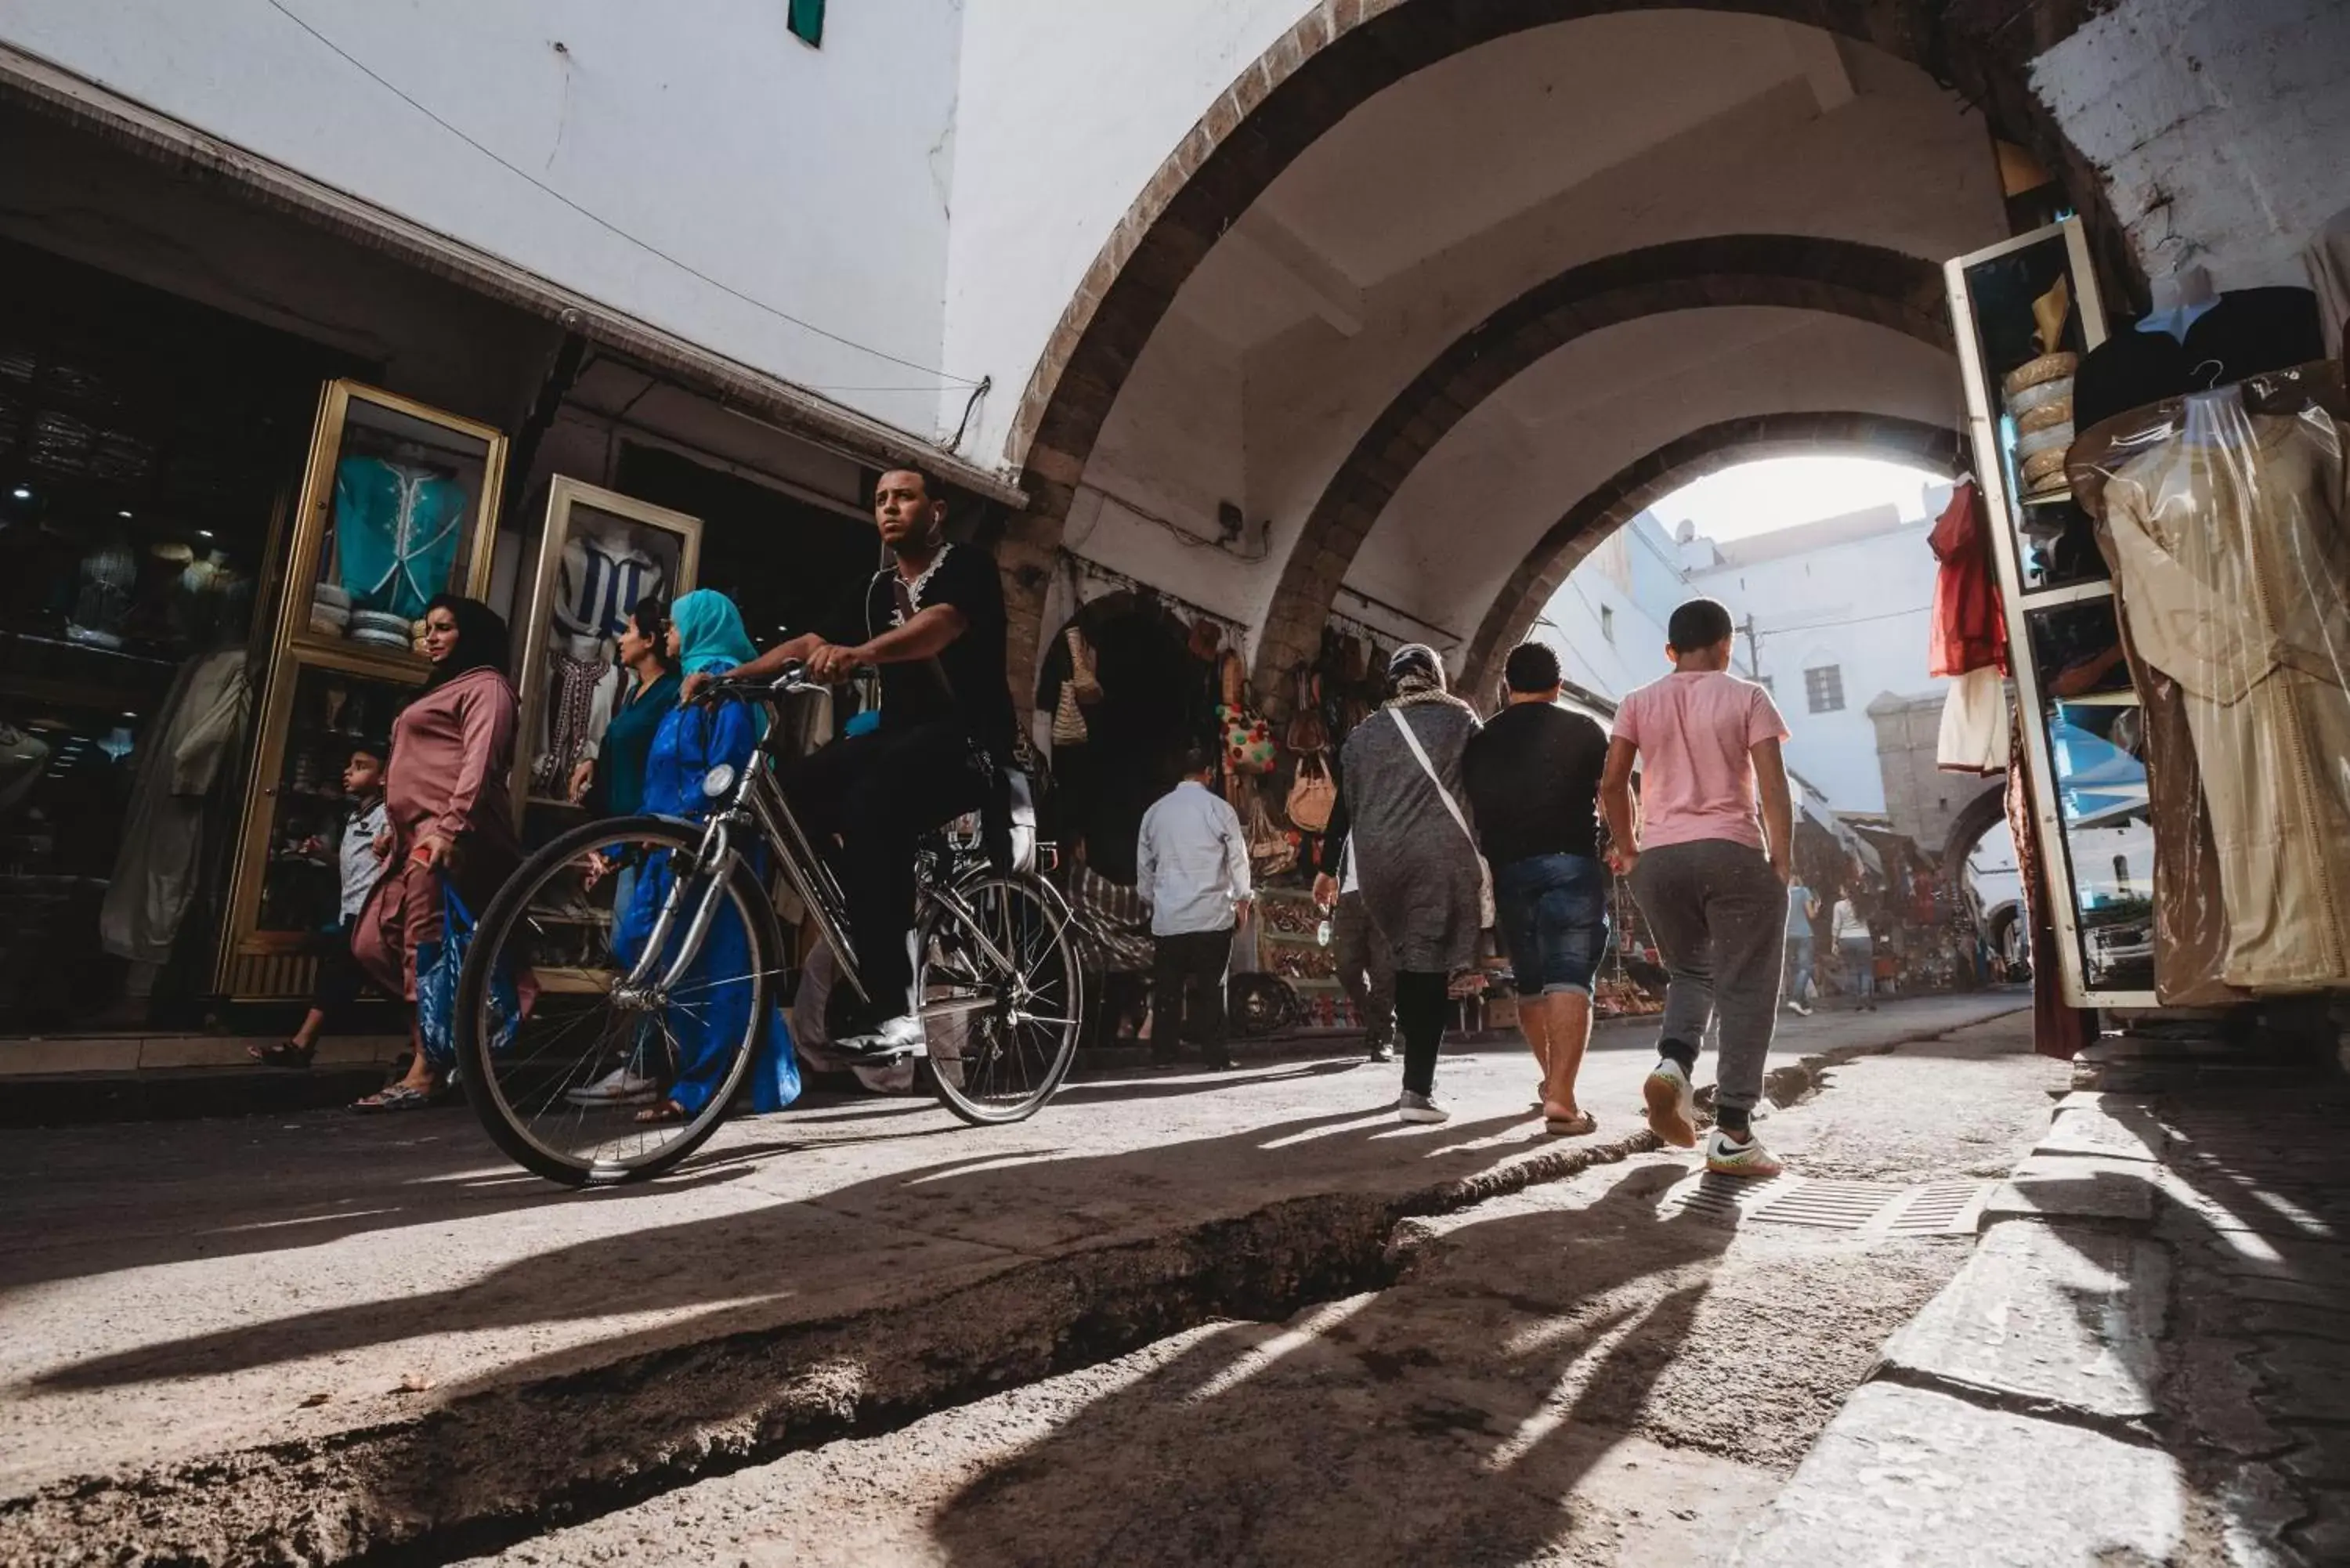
1533,784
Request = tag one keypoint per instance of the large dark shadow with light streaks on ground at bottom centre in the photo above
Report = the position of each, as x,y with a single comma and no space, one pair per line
1442,1421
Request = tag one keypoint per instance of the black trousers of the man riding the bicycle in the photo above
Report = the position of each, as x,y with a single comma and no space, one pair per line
880,793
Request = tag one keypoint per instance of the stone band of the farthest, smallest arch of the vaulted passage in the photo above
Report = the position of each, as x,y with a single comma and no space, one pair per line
1658,476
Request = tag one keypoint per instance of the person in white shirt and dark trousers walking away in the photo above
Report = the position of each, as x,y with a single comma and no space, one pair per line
1193,869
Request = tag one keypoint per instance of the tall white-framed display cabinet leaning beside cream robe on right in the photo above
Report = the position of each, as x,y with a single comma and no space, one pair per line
2025,316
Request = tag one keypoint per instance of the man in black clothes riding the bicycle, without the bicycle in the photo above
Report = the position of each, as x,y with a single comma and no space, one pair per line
934,629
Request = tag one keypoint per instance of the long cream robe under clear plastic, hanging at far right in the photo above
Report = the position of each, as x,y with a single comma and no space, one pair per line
2236,579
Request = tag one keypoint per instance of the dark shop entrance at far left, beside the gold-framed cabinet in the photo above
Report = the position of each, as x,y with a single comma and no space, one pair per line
147,453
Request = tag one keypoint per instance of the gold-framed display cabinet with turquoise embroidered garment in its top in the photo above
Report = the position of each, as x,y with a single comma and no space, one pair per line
398,504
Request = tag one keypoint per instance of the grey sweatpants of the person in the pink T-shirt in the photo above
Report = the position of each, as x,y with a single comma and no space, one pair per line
1719,916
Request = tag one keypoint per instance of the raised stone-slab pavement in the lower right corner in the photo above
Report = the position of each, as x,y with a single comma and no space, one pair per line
2144,1362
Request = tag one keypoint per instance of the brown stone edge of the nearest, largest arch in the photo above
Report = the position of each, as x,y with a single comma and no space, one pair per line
1343,53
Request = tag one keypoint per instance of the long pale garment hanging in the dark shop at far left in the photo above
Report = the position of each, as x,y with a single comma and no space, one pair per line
163,836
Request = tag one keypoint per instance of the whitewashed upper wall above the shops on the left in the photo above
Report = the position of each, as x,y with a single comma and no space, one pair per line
810,180
